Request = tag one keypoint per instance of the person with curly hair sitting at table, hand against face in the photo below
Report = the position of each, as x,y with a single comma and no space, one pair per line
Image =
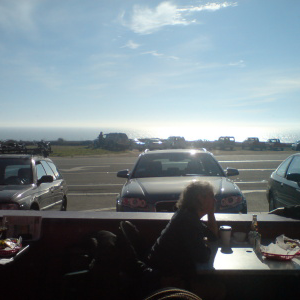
183,243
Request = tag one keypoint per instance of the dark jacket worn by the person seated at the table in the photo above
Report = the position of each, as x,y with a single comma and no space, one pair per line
181,245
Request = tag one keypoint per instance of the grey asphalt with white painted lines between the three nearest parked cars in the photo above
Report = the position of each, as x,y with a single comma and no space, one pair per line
93,185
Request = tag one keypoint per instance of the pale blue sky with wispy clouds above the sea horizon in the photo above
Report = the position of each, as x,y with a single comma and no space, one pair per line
189,65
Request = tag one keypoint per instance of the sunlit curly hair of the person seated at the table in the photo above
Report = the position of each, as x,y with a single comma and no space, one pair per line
189,197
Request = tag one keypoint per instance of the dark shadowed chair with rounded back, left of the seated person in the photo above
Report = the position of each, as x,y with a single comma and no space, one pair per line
92,268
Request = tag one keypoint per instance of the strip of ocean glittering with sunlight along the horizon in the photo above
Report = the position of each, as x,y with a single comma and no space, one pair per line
190,134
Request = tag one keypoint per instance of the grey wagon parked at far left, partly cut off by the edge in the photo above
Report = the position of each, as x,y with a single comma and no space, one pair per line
30,181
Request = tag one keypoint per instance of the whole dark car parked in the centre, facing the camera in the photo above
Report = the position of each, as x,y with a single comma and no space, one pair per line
159,177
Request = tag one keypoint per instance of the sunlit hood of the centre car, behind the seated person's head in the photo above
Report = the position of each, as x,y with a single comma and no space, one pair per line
169,188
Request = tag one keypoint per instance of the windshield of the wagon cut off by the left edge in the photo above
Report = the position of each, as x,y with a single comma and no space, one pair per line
15,171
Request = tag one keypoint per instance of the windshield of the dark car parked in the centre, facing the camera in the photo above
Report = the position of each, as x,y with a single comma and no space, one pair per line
176,164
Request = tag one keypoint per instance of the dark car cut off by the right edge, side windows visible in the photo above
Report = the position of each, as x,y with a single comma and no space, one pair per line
284,184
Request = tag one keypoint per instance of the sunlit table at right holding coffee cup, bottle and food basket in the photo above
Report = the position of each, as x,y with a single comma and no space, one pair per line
247,275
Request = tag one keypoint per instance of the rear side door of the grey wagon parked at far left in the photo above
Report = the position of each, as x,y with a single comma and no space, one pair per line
56,187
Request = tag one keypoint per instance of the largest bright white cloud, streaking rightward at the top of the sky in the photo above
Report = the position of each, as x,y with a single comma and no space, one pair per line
145,20
